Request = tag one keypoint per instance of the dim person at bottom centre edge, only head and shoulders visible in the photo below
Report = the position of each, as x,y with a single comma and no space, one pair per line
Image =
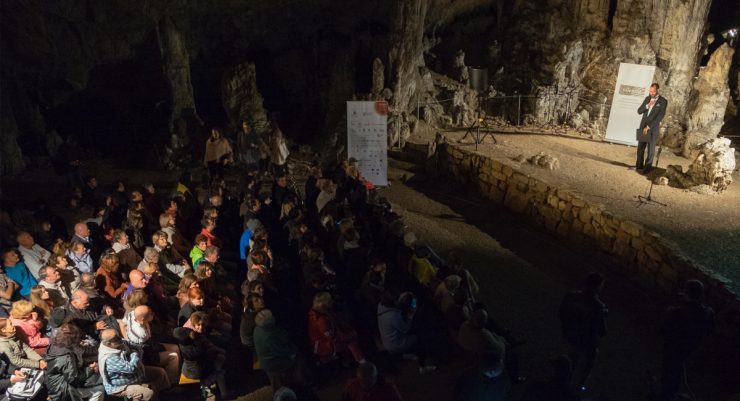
368,386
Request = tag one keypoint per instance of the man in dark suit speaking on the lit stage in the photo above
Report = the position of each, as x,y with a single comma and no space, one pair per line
652,110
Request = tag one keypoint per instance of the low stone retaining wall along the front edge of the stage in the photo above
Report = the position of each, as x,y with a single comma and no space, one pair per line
582,223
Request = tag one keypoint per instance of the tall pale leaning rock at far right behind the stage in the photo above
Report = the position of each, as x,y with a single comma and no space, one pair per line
709,100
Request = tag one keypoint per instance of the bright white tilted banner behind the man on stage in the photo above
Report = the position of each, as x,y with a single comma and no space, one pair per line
633,84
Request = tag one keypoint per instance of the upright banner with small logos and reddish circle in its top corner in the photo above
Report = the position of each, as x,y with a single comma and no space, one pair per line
367,139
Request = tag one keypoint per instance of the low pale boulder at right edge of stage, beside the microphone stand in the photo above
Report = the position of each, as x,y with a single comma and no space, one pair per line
712,167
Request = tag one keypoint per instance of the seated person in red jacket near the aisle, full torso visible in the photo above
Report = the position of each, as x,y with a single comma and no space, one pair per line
329,337
